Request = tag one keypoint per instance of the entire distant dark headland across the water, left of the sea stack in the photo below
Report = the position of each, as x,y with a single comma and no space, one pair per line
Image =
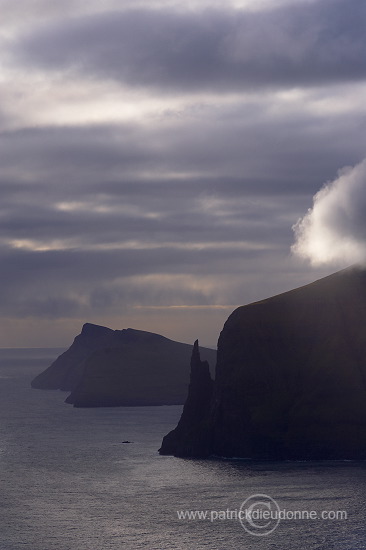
105,367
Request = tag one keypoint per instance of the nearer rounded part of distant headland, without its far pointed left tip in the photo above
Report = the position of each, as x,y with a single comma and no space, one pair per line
141,369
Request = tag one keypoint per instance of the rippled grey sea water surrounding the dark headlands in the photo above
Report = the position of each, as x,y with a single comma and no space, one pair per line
69,482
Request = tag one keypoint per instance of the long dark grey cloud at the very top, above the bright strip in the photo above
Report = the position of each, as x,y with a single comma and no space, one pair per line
304,44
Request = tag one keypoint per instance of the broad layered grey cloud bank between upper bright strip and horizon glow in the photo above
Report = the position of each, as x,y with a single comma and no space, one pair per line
257,177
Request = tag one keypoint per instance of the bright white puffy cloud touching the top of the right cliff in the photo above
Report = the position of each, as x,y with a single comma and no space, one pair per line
334,229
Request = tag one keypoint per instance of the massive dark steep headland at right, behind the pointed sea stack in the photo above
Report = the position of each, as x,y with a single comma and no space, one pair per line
291,376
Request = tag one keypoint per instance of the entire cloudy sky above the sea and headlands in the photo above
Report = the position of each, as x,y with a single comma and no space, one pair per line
162,163
